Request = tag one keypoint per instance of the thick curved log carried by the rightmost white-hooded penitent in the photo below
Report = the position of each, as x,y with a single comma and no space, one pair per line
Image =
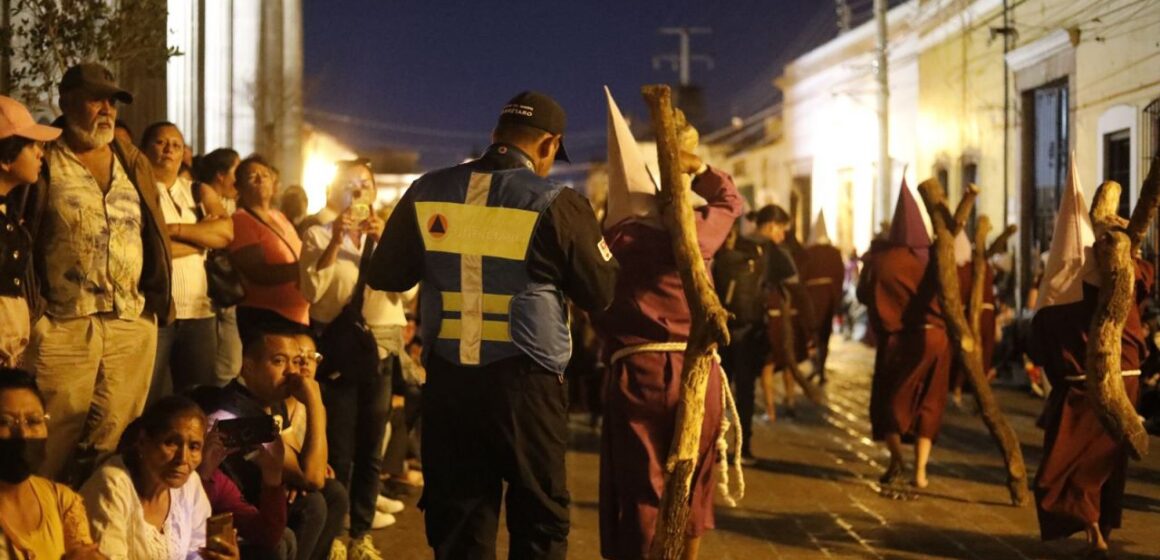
1104,382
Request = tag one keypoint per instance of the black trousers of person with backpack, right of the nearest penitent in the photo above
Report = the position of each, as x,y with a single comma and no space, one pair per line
743,361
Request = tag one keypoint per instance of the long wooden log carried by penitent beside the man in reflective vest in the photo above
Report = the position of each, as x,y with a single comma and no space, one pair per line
709,326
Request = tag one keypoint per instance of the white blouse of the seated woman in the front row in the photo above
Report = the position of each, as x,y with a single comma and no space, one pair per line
119,521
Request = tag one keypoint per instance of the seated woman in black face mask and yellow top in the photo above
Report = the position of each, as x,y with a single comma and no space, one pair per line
39,519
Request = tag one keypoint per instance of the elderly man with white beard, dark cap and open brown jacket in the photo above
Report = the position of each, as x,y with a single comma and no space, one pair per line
104,272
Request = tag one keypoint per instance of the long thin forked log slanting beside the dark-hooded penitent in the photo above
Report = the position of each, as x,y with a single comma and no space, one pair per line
968,352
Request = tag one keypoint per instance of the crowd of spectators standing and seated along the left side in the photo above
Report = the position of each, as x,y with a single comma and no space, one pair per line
163,322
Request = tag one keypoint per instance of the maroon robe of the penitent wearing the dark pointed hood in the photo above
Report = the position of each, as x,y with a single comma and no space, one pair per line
912,365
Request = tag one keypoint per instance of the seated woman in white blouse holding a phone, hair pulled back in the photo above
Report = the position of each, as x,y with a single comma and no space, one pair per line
144,503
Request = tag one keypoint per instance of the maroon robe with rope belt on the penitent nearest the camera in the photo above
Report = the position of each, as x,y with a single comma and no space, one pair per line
643,390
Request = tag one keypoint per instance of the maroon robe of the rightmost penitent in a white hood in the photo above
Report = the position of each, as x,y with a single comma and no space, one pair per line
1082,477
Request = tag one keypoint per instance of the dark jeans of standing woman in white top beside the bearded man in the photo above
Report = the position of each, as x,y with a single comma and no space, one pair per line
186,352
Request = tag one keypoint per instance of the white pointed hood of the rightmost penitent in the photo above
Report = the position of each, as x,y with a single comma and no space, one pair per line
1070,261
